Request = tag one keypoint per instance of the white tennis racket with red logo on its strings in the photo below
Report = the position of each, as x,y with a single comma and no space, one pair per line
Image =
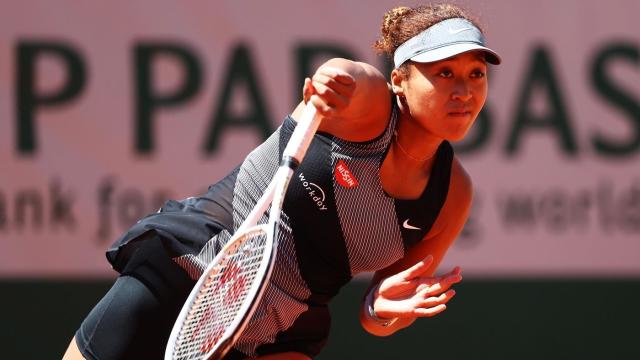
227,293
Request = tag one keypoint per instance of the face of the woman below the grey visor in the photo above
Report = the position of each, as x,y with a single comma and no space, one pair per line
445,97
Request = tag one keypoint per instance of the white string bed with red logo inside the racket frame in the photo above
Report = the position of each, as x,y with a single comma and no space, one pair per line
218,303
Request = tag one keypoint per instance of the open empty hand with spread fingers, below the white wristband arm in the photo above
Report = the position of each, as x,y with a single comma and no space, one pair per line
411,294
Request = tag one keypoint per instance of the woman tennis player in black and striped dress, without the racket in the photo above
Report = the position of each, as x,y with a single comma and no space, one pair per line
380,190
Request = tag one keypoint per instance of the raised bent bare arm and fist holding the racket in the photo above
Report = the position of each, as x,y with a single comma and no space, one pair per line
353,97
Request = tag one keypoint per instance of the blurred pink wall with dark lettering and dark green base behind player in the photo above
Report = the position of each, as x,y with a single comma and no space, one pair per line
107,109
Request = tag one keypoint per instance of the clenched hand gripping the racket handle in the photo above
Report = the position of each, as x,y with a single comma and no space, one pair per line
329,90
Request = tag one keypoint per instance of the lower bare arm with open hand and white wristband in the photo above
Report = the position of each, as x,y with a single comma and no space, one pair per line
407,289
